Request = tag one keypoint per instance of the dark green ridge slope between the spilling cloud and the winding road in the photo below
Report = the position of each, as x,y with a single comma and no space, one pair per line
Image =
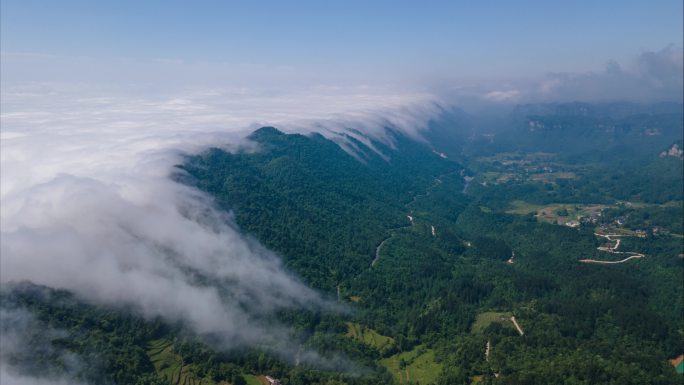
305,194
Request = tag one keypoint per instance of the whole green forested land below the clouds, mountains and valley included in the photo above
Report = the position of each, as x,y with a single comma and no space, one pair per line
444,279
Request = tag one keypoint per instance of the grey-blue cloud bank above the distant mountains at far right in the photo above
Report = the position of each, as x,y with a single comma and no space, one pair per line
651,77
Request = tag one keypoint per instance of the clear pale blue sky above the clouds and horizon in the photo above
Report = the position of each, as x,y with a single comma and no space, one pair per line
419,43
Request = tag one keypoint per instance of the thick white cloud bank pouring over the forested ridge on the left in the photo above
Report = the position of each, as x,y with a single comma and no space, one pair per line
88,205
